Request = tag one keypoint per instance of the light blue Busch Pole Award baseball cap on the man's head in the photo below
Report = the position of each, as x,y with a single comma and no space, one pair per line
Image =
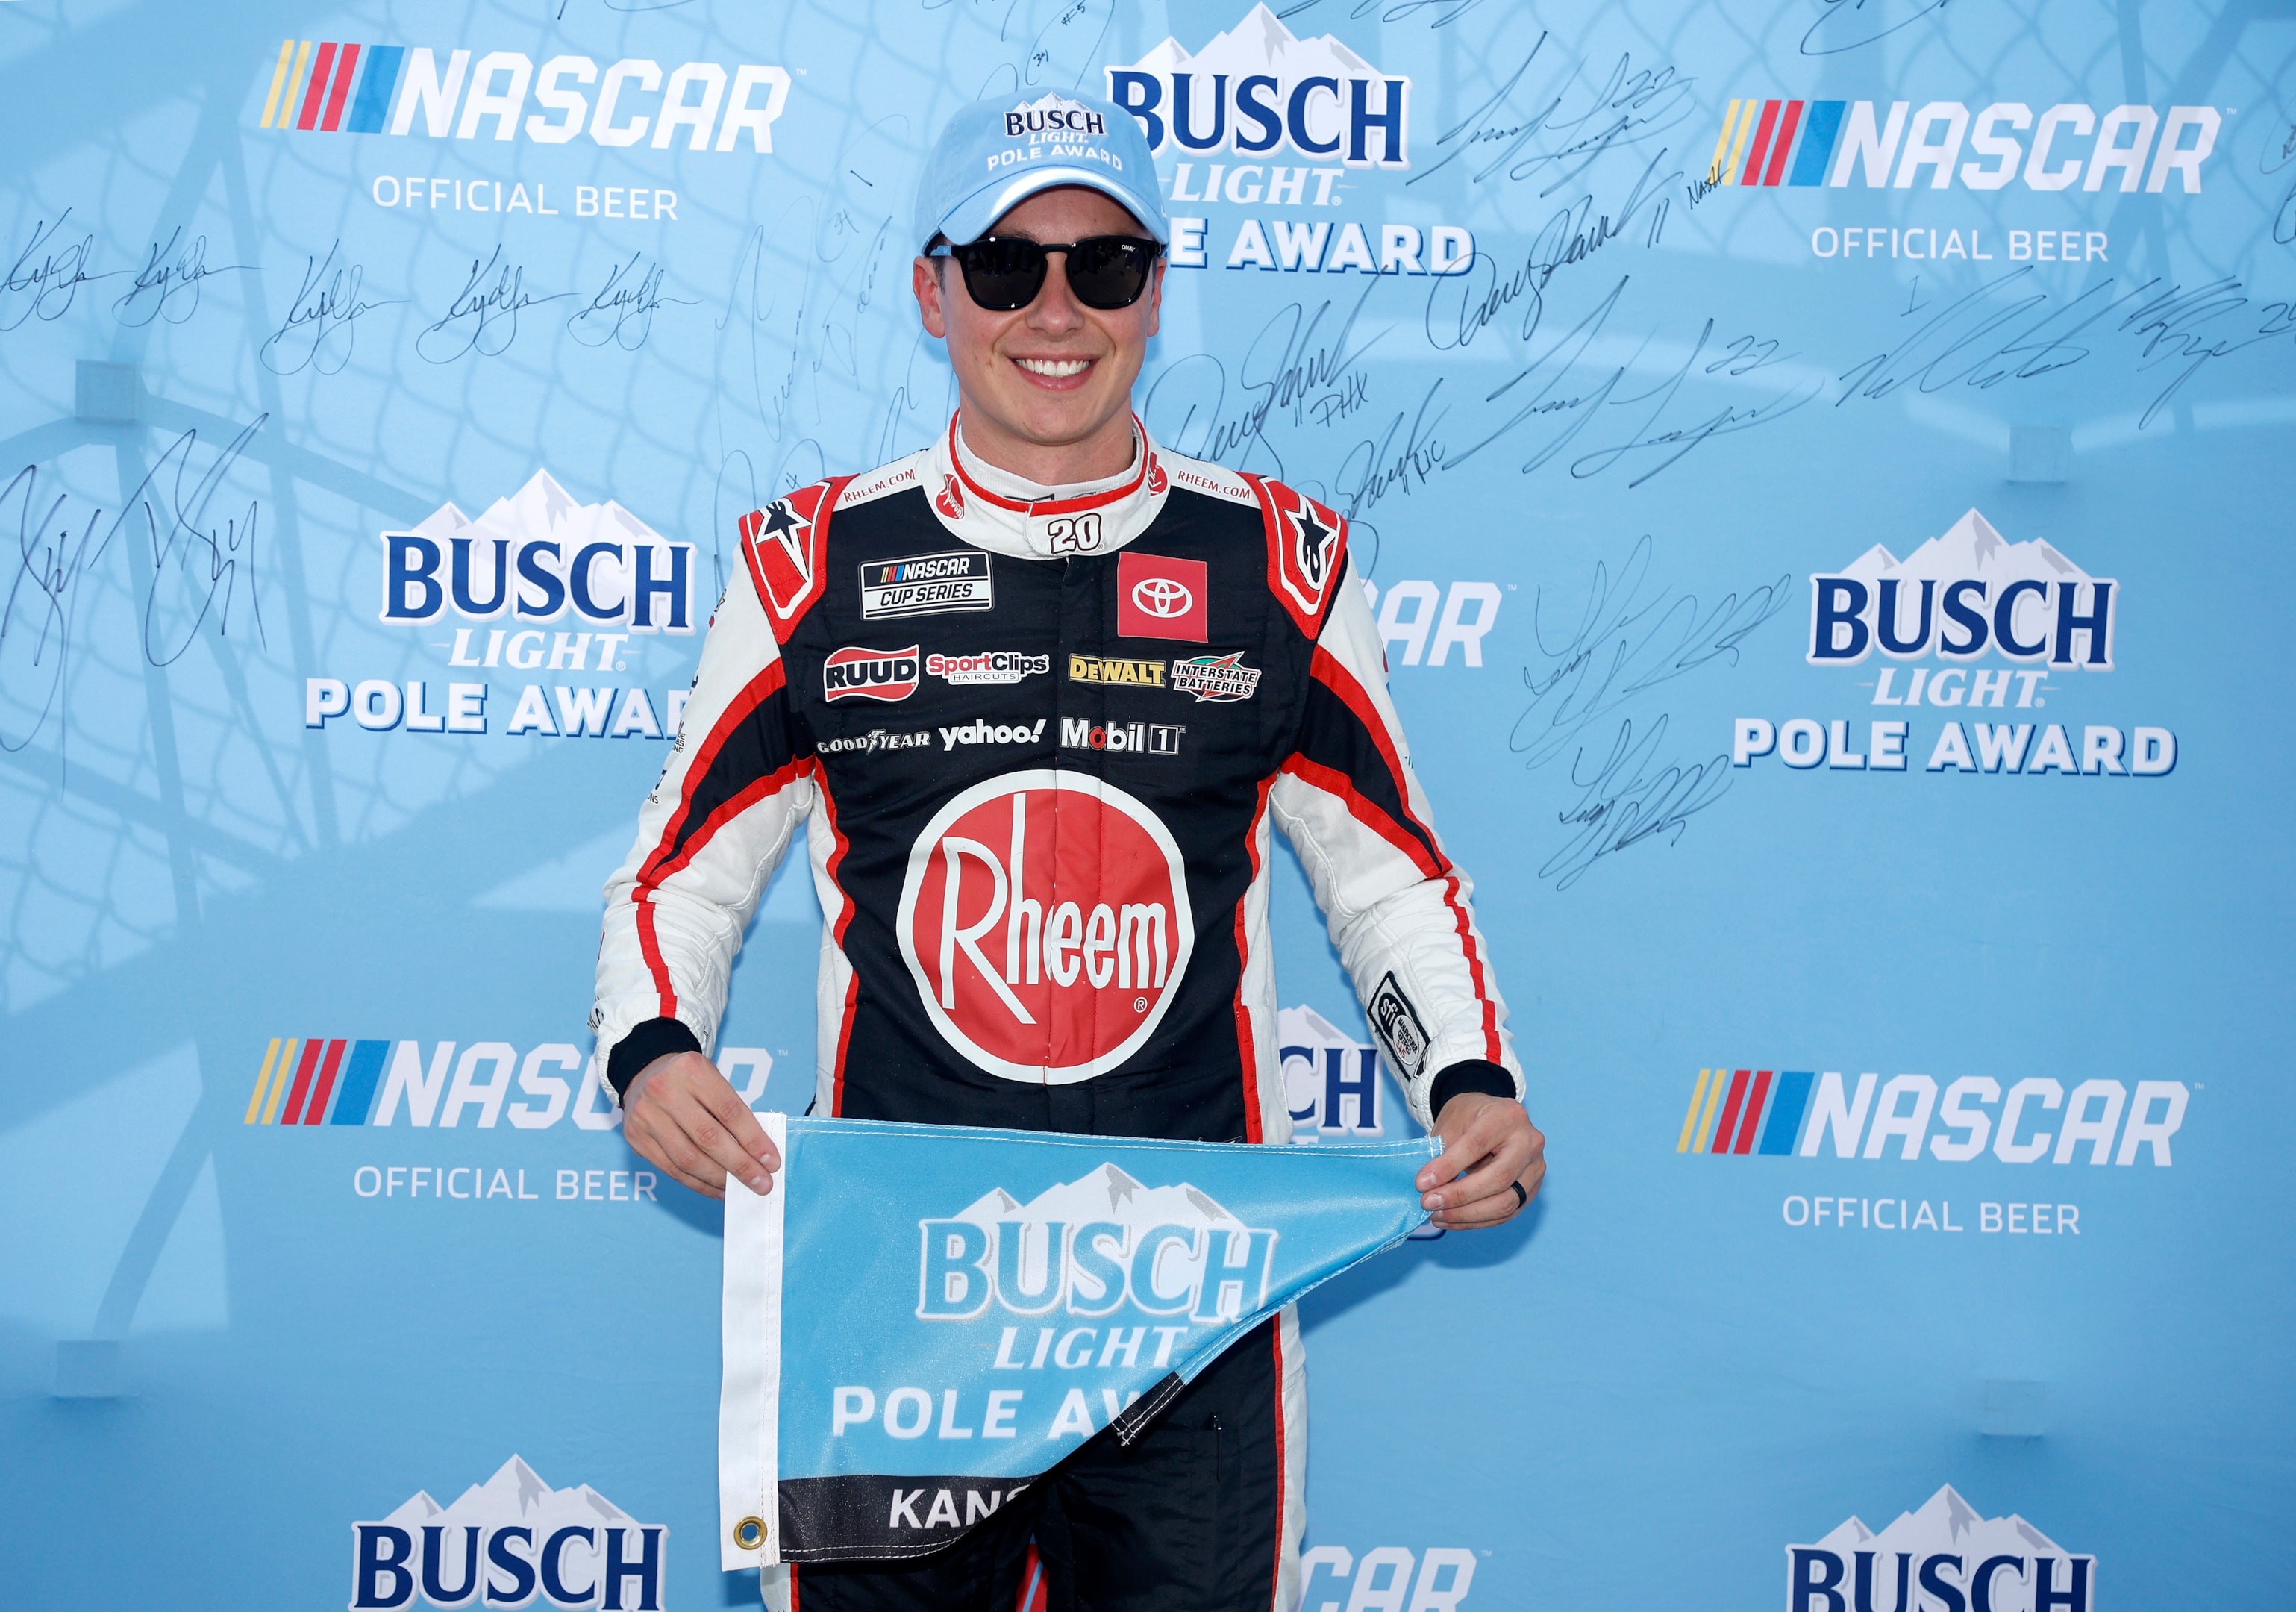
995,155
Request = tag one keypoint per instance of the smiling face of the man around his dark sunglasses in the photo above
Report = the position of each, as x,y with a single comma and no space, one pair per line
1053,373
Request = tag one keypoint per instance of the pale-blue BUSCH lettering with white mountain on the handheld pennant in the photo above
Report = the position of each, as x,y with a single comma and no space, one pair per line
1094,1246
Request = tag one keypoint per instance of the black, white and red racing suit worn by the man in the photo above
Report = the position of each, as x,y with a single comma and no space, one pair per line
1037,752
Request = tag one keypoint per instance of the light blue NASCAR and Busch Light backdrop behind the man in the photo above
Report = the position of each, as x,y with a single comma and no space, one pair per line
1824,476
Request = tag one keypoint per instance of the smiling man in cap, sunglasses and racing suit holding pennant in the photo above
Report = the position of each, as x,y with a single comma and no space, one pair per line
1034,697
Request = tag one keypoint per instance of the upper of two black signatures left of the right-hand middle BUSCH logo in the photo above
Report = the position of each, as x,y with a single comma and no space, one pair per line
1627,640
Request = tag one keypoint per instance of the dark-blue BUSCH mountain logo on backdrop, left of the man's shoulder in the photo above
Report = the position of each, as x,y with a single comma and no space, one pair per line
538,557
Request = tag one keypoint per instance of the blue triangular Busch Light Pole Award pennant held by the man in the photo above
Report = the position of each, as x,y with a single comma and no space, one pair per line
922,1319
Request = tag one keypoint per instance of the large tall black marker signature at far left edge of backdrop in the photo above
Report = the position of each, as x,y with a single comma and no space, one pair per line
199,571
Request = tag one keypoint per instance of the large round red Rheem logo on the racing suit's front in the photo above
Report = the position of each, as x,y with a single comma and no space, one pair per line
1046,924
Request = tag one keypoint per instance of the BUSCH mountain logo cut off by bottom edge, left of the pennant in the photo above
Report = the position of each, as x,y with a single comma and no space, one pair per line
504,1540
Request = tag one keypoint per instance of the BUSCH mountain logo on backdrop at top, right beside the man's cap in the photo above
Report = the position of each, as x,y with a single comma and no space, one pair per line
1259,91
